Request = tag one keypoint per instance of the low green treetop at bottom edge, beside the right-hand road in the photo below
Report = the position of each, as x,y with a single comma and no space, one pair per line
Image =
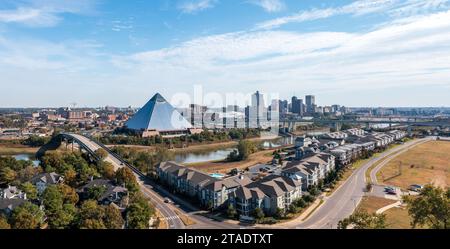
363,220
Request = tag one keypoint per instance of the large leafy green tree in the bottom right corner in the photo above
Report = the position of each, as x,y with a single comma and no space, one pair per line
430,208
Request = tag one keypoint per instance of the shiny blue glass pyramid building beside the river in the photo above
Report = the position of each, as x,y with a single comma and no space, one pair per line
158,115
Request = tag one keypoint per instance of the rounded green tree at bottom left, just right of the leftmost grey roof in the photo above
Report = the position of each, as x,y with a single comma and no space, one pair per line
27,216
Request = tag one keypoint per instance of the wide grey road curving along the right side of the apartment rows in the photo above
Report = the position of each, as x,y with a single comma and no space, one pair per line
346,198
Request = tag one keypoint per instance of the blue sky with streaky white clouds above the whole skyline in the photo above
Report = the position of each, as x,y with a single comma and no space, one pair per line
120,53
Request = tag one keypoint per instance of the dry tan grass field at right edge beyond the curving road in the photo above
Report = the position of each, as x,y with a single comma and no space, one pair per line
427,163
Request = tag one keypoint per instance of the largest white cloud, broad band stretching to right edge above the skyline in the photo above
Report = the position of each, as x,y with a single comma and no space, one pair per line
397,55
